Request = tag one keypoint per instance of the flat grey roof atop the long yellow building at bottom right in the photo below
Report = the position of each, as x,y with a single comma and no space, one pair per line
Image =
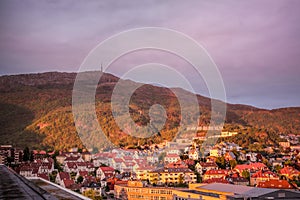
239,190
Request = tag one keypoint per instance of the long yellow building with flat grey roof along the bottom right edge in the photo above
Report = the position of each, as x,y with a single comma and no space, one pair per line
135,190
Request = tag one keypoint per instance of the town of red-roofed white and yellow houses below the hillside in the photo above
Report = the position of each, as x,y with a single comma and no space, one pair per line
171,170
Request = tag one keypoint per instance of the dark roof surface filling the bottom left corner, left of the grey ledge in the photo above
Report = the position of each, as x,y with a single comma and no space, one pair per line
12,187
